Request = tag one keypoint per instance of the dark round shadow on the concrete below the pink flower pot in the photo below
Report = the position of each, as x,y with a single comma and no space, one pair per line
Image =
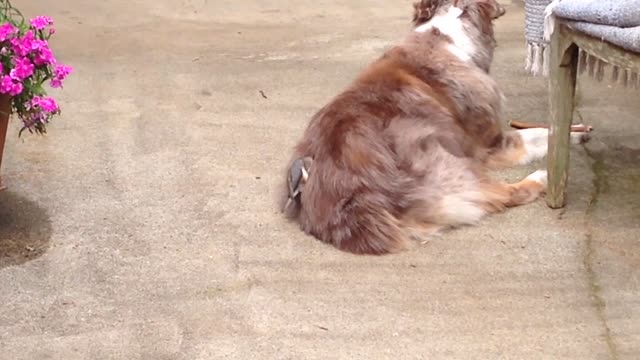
25,230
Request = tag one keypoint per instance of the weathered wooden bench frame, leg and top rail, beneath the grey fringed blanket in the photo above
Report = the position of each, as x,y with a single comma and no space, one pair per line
565,45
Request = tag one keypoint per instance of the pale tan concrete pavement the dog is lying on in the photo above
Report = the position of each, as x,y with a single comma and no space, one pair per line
143,226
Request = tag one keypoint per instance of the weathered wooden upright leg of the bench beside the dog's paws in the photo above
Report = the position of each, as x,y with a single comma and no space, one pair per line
562,83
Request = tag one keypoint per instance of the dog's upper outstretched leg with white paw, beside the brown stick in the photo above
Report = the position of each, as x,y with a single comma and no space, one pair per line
520,147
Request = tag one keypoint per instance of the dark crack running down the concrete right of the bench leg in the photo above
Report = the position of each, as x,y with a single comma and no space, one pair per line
600,186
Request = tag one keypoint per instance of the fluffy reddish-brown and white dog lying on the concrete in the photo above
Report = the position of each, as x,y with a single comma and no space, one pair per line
406,149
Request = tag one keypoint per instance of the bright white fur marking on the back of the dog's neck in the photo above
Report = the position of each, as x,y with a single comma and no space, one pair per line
450,24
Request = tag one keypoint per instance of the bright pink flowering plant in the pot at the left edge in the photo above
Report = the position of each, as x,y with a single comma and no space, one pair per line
27,64
